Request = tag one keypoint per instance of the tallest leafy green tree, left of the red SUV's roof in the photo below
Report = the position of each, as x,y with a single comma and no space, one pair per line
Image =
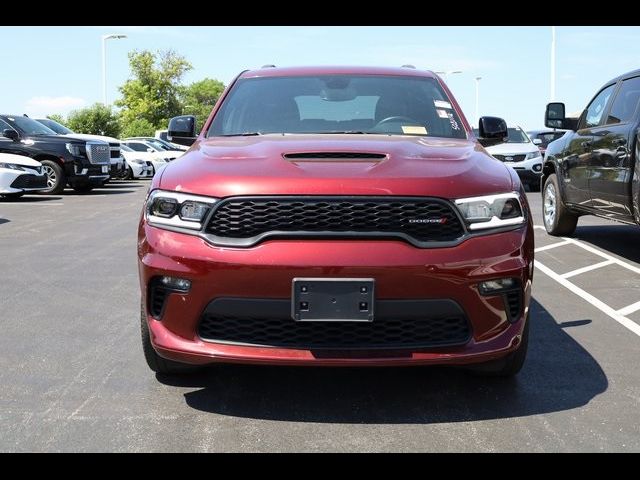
153,92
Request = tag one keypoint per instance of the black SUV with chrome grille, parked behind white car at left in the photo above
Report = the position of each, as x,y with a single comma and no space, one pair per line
81,164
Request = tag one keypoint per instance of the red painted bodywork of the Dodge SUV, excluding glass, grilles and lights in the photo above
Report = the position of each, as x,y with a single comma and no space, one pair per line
412,166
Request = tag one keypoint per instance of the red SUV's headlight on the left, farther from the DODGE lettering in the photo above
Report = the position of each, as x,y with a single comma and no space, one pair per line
182,210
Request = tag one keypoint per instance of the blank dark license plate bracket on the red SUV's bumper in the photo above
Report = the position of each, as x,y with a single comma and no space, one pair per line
333,299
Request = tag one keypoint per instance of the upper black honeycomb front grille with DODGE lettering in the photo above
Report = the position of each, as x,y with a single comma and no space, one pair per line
421,221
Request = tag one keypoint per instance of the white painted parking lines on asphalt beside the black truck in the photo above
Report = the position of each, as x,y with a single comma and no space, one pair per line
617,315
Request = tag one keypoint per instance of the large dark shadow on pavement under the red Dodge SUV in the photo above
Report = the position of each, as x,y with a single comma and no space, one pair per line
559,375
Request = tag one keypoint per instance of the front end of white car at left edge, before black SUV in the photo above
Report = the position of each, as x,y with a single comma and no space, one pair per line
19,175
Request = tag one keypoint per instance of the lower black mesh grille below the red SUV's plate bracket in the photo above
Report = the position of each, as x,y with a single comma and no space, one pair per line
388,334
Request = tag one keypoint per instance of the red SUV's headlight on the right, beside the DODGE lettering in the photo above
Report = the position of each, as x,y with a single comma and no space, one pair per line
492,211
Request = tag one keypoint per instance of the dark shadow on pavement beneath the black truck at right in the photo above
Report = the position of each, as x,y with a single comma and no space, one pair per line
621,240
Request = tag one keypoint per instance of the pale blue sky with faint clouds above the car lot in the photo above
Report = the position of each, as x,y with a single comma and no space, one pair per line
59,69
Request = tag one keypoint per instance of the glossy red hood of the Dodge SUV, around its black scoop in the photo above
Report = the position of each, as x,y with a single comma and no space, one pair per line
419,166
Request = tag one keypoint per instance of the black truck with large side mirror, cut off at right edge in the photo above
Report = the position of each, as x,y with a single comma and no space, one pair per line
594,168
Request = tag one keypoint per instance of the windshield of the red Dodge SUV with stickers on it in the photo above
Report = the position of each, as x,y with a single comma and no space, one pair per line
391,105
